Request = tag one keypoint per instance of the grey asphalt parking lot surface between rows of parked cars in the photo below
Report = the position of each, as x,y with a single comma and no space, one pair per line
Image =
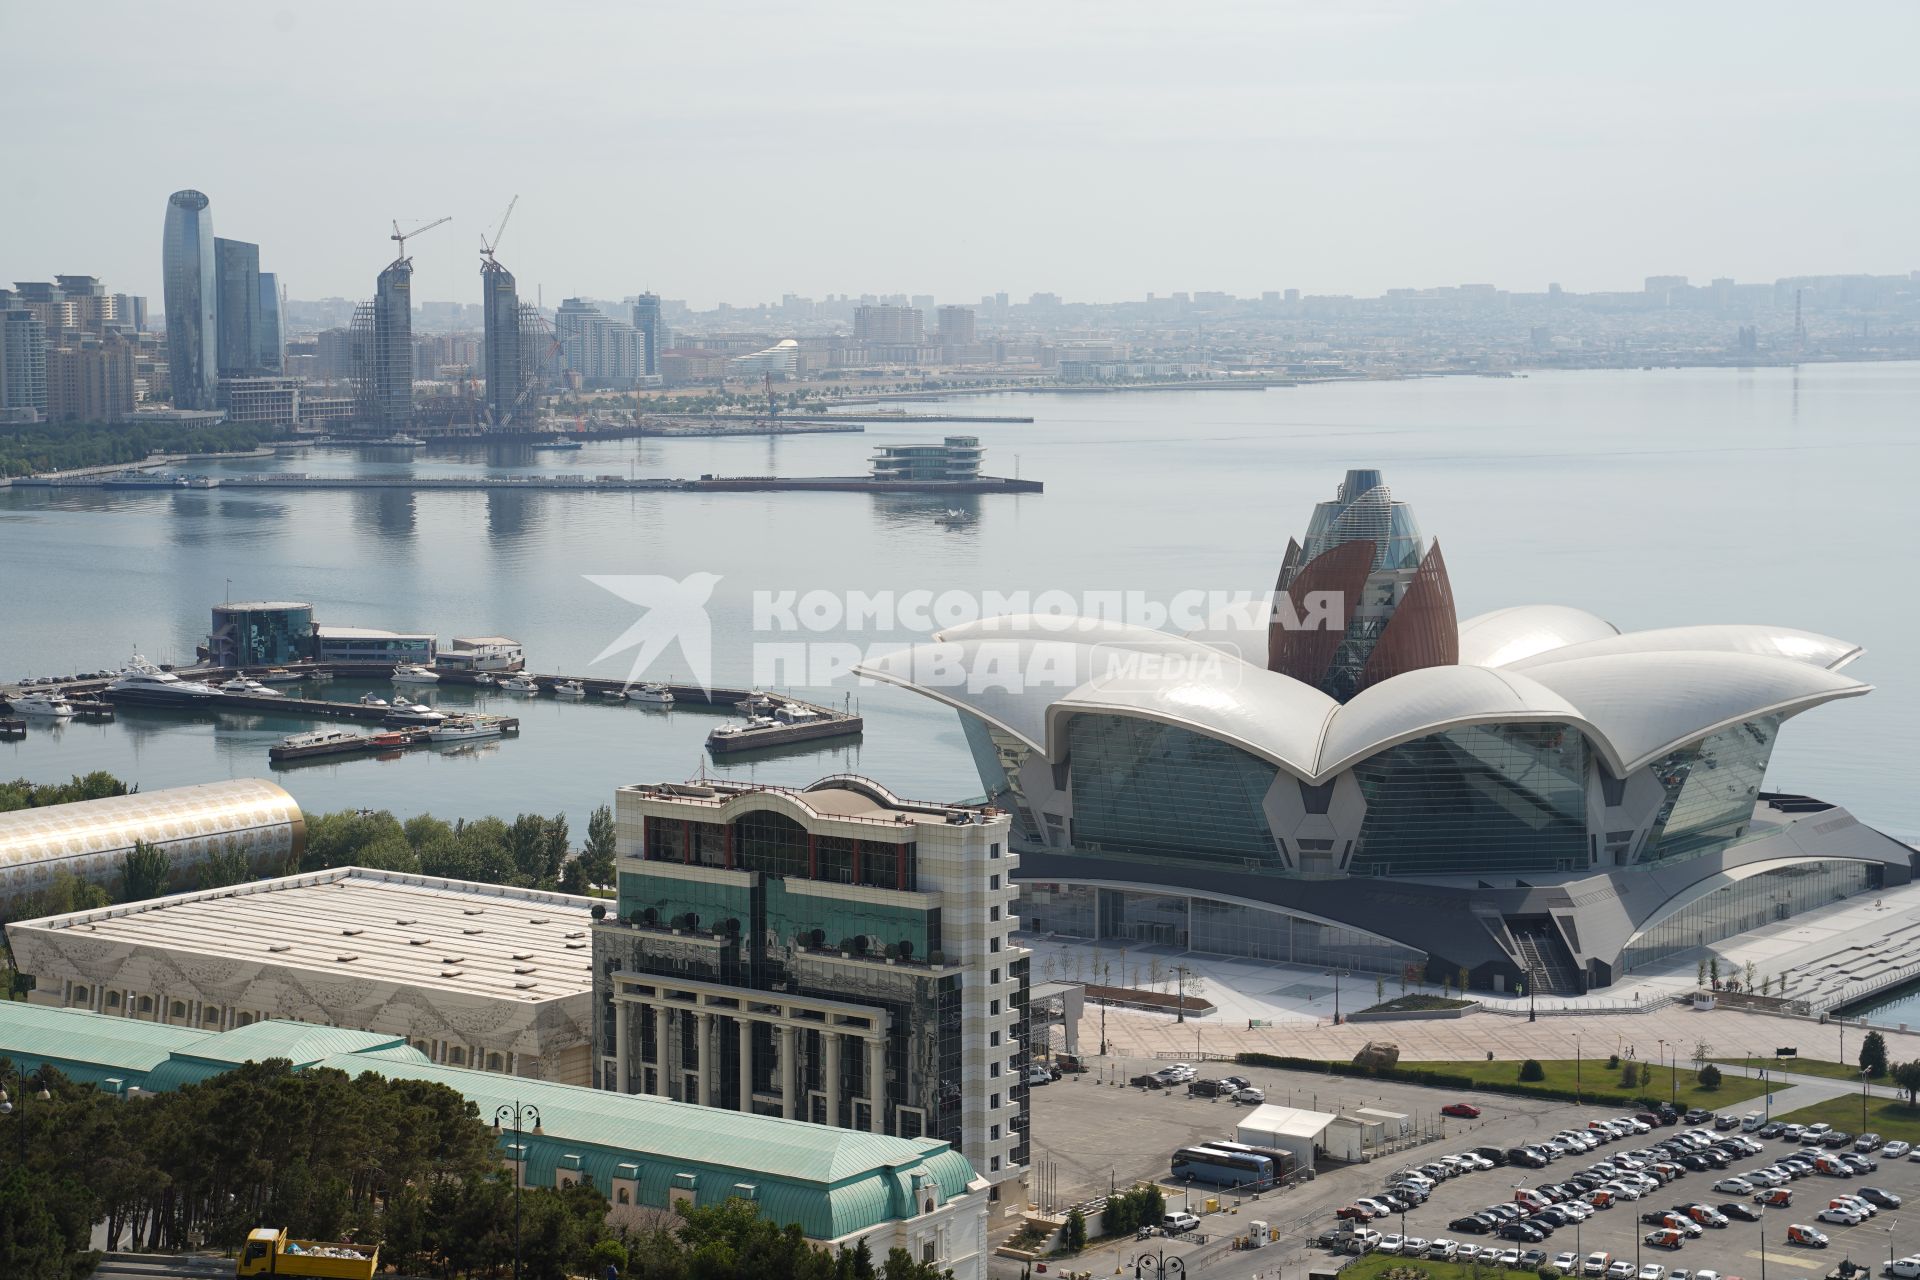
1101,1137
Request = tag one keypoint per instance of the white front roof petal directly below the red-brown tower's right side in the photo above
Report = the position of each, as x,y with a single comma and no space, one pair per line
1433,699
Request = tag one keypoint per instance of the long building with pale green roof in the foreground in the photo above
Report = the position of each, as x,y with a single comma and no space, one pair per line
644,1154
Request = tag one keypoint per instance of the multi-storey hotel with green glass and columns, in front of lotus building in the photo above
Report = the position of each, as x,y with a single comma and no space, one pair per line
834,955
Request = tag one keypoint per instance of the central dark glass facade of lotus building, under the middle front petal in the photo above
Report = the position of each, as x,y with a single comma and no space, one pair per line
1476,799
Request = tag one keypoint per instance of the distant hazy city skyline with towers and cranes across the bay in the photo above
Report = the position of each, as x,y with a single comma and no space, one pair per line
229,343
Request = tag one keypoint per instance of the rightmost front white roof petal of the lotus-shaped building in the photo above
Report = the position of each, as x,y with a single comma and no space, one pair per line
1650,703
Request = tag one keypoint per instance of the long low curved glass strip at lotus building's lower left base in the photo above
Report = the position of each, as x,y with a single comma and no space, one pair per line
1207,926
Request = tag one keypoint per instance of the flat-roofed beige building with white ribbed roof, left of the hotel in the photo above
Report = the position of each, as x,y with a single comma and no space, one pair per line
475,976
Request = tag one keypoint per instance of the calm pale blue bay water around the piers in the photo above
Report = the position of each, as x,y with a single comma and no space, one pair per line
1650,498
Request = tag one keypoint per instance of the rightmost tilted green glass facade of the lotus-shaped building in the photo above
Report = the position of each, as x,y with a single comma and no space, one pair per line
1712,790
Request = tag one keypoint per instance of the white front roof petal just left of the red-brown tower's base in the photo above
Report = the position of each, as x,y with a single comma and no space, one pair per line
1262,713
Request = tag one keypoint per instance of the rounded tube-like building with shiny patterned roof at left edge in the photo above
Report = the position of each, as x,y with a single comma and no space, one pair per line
91,840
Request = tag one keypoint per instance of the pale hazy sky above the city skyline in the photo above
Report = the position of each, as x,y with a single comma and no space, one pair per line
734,153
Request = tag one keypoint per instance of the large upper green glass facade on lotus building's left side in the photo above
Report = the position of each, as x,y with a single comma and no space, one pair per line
1157,790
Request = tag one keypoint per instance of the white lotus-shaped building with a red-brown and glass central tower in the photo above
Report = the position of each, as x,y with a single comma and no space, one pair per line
1360,780
